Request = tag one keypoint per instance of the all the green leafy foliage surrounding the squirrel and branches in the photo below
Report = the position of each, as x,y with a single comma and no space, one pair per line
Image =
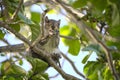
103,12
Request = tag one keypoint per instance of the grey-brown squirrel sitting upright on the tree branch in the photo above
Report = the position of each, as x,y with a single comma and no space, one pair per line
50,40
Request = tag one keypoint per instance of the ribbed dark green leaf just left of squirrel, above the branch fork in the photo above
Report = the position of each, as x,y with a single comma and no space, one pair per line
35,29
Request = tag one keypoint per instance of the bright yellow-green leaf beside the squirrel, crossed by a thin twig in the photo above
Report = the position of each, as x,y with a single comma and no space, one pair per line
74,45
